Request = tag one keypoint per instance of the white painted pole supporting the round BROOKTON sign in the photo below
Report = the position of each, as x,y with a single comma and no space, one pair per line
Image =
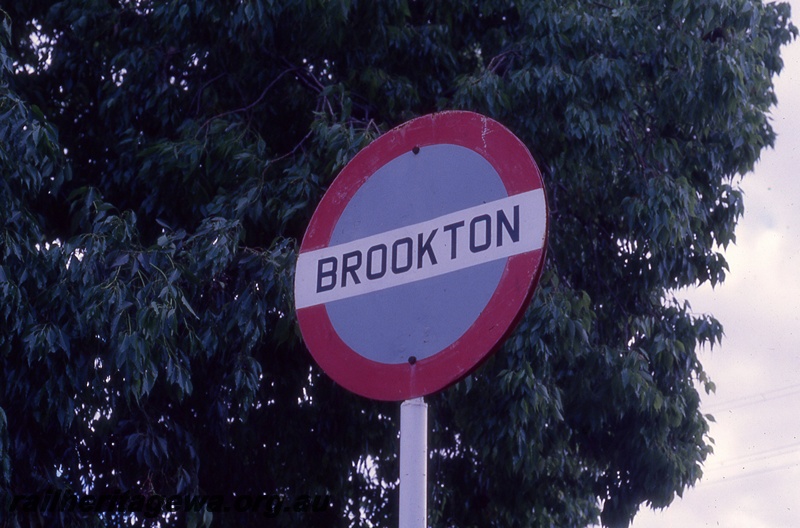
413,463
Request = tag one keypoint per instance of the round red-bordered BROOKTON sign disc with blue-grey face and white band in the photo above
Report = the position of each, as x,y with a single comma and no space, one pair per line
422,256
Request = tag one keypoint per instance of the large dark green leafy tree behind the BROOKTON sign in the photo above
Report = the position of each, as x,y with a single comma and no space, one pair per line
160,160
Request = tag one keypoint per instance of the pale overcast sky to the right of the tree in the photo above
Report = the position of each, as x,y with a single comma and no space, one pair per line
753,479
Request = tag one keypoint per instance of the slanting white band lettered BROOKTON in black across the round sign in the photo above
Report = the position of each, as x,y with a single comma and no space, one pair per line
469,237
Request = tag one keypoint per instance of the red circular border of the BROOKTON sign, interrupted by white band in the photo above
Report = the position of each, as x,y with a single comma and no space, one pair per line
395,382
